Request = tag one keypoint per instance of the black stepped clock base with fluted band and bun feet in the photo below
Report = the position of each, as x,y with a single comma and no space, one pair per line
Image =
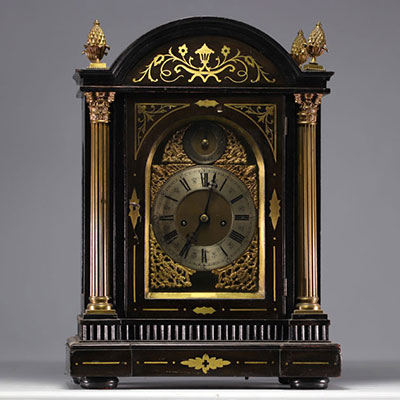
290,352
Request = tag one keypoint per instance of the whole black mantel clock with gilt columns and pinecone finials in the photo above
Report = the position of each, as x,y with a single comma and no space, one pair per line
201,208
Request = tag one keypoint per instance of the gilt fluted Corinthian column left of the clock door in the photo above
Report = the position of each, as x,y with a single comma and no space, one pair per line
98,104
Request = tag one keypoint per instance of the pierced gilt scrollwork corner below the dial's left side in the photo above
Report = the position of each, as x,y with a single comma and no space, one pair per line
164,272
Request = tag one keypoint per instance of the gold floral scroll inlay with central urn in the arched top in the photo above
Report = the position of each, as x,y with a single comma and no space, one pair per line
189,65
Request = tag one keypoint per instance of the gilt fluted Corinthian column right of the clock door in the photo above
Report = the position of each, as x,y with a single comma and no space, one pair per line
307,236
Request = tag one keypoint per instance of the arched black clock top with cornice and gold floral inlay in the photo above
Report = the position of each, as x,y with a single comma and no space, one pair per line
204,52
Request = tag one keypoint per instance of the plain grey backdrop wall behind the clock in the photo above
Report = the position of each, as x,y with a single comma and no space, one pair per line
40,160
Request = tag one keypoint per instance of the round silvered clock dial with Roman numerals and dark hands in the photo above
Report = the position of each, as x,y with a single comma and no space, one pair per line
204,217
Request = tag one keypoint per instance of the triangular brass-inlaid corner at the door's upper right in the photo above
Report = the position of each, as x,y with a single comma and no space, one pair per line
264,117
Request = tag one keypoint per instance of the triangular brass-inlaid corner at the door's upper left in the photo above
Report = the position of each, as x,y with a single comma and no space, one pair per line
147,115
